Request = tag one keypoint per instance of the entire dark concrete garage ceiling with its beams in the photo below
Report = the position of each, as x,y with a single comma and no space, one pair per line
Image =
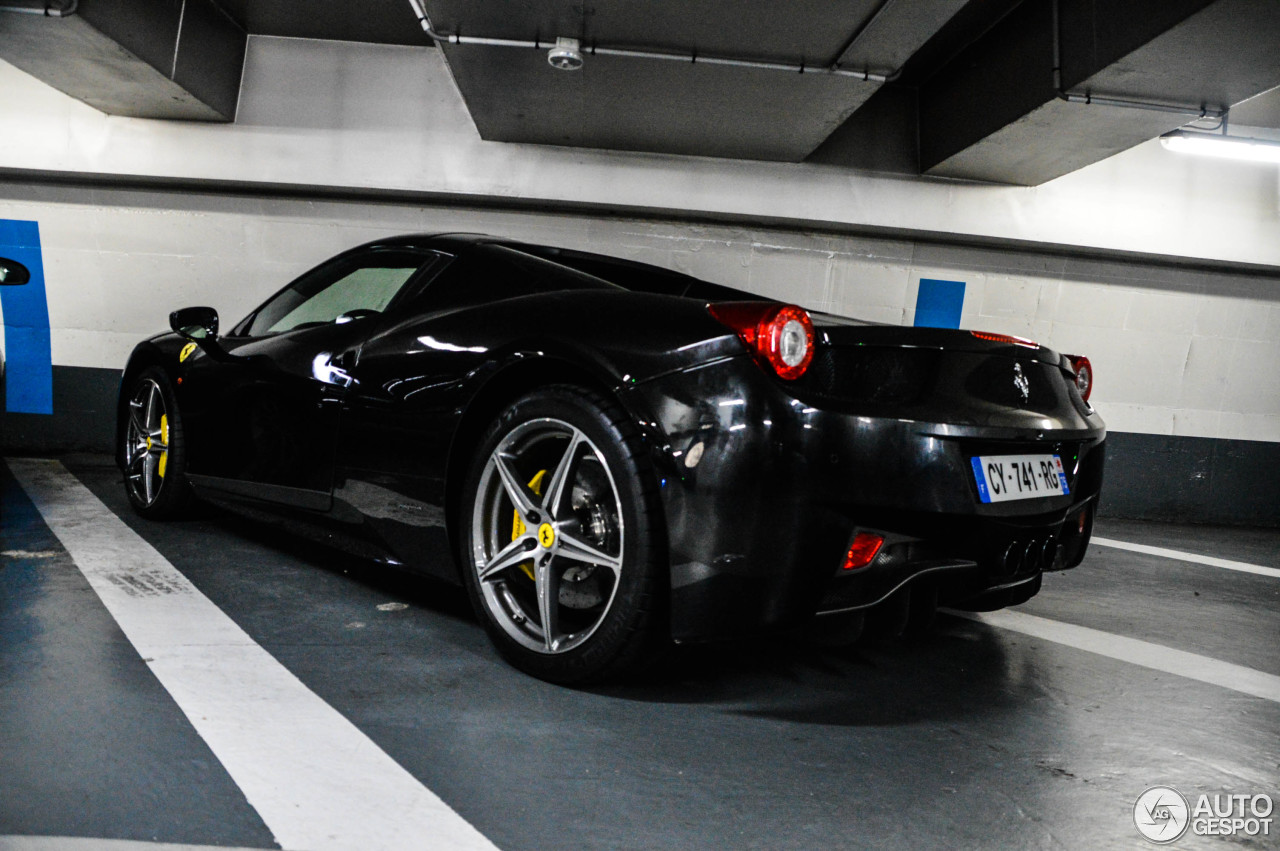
972,90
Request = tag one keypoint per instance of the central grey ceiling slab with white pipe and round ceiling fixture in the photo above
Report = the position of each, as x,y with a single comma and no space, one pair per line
683,108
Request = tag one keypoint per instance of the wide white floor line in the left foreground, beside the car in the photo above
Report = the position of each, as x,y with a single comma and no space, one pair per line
316,780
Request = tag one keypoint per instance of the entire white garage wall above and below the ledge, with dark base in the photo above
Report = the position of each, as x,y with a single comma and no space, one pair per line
1183,326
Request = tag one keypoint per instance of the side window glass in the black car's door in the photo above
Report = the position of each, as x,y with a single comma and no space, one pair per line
353,287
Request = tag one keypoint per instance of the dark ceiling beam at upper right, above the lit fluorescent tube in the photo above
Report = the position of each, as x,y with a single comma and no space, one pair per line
996,113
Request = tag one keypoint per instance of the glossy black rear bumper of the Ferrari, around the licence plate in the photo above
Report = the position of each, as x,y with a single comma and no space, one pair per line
764,493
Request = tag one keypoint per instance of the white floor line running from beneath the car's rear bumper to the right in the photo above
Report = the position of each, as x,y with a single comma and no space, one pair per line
1135,652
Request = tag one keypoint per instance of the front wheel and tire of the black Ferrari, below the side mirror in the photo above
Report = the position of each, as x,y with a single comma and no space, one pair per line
156,450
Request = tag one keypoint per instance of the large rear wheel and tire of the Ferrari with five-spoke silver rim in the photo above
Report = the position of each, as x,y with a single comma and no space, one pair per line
606,615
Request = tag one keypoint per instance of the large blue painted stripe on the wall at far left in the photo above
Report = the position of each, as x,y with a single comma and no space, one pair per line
29,369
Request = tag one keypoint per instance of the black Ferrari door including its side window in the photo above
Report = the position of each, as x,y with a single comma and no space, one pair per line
264,422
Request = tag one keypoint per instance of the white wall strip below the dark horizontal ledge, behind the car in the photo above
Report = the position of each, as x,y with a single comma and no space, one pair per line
1176,351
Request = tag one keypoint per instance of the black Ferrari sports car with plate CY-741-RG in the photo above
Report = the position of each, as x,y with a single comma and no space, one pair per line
611,456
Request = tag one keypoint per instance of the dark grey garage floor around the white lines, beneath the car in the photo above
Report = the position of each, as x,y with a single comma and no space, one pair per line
976,738
